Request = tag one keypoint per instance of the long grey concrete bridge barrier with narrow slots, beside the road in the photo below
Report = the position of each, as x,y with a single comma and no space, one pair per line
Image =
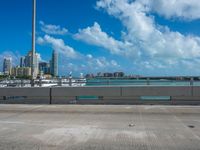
103,95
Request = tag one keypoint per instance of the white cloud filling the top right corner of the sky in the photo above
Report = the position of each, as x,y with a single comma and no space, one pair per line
183,9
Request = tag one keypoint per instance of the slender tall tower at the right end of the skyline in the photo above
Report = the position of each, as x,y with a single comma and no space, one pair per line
54,64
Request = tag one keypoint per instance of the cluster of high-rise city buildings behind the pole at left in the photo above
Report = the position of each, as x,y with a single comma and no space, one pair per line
23,69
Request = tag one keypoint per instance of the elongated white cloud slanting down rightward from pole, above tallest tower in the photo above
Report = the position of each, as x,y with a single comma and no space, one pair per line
59,45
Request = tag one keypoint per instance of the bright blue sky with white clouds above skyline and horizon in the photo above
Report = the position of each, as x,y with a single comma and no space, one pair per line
140,37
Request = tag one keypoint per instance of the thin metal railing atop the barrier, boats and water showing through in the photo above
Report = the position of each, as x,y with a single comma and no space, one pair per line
99,82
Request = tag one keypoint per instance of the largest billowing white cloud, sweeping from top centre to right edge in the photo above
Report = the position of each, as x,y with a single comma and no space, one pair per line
156,46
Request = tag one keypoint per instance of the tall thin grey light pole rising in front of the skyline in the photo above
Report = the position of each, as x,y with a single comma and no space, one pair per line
33,41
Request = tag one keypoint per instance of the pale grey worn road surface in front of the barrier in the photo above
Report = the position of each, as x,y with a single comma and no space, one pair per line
99,127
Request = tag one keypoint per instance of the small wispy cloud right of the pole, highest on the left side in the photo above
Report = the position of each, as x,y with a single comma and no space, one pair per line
52,29
